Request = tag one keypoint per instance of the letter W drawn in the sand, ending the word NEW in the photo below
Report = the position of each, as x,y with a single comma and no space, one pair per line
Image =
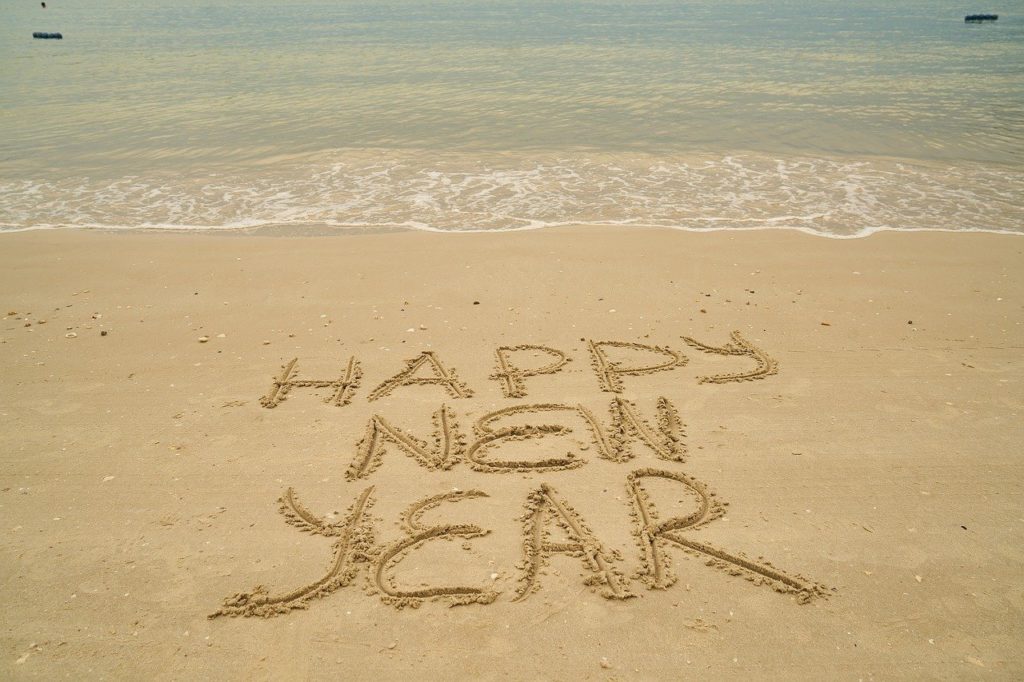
614,444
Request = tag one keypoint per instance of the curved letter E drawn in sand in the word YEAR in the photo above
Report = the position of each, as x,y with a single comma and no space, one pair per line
392,556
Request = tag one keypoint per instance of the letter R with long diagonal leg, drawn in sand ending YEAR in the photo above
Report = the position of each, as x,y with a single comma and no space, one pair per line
652,535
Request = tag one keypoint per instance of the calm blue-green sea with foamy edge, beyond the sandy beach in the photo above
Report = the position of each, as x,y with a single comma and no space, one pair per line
836,118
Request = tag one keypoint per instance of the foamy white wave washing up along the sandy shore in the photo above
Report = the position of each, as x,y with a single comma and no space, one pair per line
839,198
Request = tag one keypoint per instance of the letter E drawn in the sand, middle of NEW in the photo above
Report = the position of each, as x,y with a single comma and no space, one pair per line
489,438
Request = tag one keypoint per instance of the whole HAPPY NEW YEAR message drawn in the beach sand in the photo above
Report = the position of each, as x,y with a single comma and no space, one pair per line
548,513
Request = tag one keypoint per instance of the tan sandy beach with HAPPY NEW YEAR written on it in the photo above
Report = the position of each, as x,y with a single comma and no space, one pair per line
845,473
